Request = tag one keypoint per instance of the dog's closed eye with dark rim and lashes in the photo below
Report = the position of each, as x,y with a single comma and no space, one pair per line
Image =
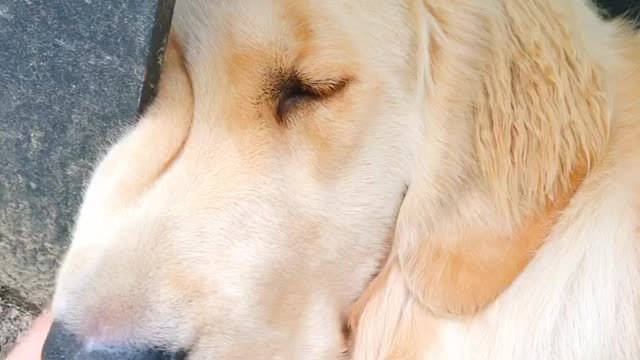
297,91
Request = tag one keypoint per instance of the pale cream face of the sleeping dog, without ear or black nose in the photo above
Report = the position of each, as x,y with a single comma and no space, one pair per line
253,202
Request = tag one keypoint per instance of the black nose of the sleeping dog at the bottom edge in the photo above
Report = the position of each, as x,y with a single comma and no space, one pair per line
63,345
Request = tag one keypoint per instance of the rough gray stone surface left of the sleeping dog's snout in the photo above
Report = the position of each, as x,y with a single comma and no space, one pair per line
73,74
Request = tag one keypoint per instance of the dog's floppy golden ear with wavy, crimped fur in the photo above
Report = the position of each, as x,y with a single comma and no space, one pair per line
515,117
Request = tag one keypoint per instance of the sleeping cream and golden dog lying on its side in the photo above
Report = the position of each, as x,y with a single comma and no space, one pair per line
406,179
